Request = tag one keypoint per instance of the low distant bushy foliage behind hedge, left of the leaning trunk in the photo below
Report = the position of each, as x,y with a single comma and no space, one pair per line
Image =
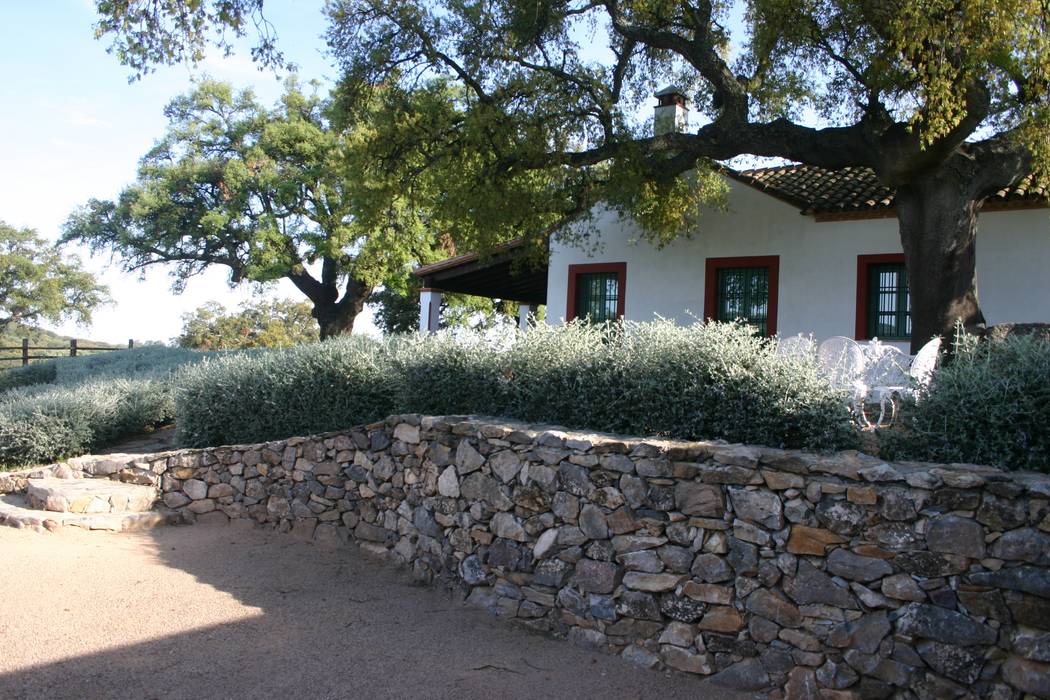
263,324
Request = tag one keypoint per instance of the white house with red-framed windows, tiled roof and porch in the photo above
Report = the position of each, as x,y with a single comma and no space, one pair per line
799,250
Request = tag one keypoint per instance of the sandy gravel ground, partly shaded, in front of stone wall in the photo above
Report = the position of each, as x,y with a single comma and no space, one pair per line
215,611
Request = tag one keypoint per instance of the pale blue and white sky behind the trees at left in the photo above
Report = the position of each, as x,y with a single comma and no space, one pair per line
73,129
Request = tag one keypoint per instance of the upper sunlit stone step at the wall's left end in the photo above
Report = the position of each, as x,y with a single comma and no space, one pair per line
90,496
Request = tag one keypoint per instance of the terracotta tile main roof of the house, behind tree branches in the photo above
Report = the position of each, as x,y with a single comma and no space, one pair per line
822,192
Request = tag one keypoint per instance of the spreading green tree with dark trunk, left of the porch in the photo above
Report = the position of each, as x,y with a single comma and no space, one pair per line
269,194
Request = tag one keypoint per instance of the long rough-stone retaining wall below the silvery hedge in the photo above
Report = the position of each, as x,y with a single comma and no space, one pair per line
823,577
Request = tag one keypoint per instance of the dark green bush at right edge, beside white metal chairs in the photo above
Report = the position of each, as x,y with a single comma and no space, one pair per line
990,405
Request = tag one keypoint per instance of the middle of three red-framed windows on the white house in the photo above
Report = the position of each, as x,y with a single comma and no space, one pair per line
744,288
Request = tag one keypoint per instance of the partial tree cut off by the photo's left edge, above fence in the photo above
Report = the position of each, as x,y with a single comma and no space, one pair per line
37,284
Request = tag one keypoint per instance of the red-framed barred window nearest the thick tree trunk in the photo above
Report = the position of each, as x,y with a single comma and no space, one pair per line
884,303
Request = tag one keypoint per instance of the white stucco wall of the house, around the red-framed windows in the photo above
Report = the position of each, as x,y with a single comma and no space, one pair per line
818,264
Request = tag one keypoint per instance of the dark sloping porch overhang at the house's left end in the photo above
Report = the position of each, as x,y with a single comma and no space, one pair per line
507,274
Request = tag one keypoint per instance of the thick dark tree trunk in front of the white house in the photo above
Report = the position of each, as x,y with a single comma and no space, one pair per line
938,225
